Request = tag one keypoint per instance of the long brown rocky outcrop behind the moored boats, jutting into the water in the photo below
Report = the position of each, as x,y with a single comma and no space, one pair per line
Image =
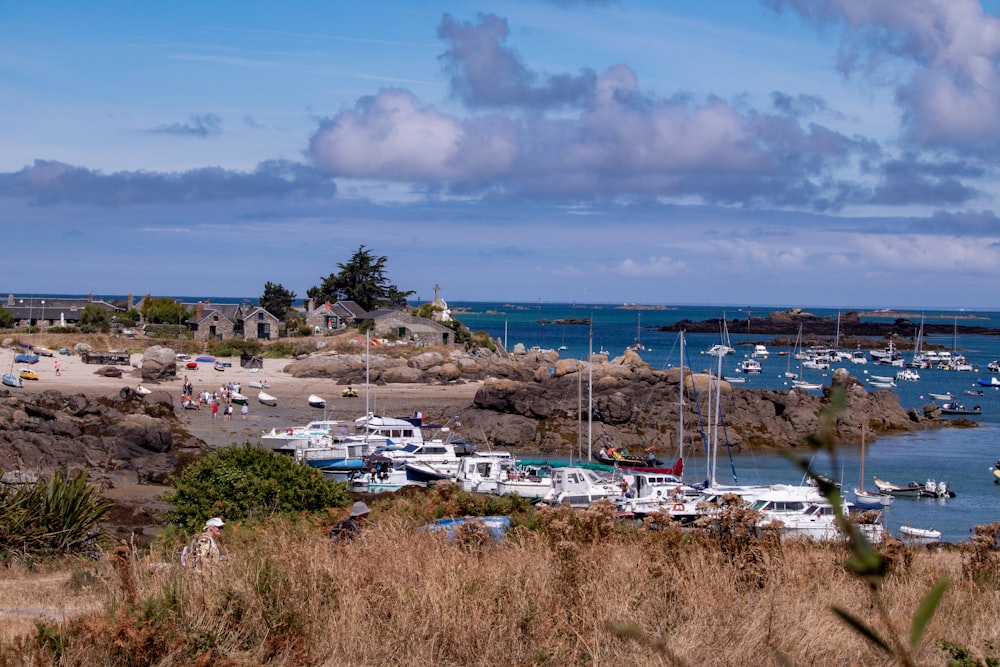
636,407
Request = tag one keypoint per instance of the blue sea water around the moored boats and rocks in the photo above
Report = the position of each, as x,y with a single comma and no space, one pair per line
961,457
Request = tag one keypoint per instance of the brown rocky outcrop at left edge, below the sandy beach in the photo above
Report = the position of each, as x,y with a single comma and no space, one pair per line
127,437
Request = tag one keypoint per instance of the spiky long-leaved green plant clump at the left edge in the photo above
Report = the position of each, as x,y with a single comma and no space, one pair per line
52,517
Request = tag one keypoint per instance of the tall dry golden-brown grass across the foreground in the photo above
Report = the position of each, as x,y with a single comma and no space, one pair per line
580,589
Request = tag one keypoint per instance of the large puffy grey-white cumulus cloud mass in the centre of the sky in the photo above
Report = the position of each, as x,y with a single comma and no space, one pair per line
584,137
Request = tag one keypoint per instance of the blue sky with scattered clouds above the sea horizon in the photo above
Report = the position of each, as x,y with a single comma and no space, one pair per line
786,152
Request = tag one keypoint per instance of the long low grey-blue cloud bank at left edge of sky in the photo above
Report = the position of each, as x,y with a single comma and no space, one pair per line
49,182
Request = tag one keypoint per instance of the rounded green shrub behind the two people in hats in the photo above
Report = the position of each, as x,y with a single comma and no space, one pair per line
248,483
